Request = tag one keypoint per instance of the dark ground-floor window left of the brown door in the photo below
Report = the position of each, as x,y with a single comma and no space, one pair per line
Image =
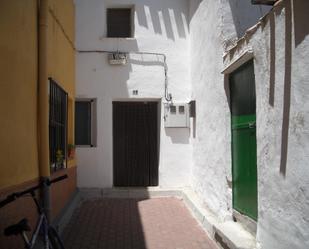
85,122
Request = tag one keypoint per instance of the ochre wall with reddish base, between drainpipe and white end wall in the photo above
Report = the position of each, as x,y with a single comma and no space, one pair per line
61,67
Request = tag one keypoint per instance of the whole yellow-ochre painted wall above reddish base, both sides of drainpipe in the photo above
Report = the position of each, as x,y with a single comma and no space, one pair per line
19,81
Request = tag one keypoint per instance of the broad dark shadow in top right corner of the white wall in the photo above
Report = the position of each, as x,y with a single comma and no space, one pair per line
301,27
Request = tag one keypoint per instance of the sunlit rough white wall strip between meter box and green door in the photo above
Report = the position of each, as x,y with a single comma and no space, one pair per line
211,153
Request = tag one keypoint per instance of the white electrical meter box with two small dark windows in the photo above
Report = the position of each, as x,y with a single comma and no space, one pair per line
176,115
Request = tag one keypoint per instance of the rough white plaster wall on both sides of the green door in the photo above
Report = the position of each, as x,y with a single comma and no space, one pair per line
283,207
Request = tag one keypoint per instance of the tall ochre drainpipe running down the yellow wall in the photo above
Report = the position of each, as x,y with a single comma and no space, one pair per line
43,108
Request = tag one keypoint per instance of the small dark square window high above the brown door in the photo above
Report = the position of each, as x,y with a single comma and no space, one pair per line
119,22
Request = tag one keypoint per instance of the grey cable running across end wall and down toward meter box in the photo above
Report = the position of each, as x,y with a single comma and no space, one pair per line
167,95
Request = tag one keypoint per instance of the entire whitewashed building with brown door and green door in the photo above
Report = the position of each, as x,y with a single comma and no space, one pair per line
159,105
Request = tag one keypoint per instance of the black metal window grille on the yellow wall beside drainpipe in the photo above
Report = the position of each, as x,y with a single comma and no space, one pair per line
58,119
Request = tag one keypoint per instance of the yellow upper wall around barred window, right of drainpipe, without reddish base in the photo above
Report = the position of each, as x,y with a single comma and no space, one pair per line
61,54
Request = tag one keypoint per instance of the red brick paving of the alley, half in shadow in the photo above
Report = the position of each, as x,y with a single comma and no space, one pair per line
158,223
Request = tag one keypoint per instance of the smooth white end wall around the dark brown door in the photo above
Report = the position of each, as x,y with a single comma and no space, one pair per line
160,26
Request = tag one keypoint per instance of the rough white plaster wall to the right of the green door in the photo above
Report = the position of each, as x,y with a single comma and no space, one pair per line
283,207
